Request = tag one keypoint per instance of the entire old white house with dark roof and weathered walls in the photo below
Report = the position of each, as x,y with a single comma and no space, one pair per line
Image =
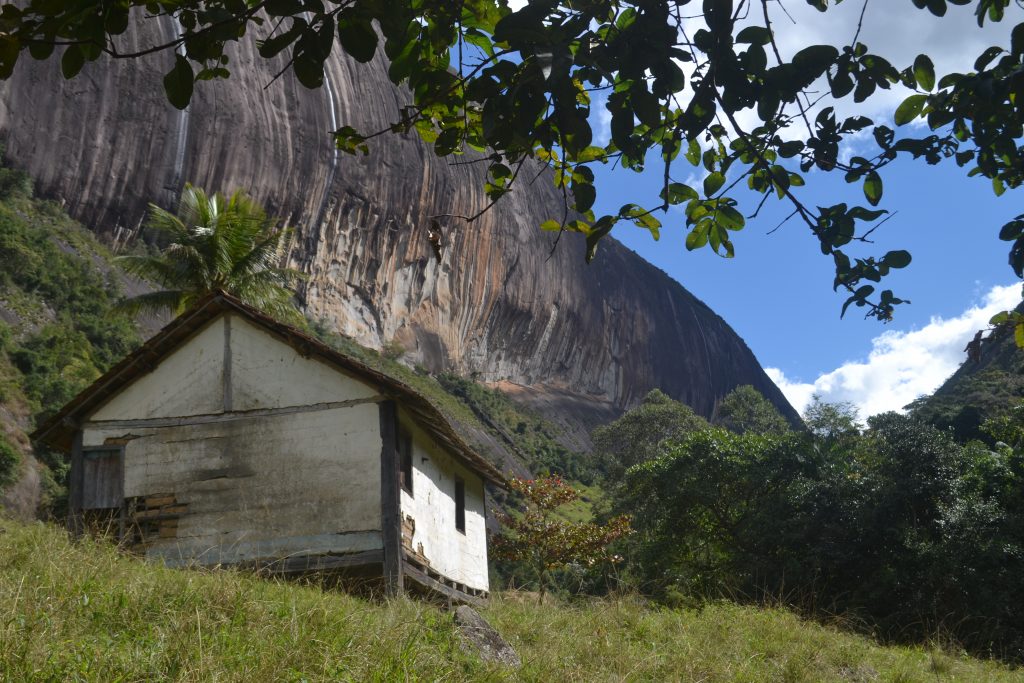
232,439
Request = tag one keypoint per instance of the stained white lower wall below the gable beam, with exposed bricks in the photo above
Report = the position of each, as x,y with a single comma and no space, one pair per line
262,488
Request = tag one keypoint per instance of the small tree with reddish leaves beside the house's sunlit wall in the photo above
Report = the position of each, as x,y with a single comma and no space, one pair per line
545,542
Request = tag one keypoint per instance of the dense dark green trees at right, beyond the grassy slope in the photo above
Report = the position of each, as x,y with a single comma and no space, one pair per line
899,525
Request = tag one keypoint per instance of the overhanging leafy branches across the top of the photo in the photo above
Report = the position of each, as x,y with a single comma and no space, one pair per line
520,84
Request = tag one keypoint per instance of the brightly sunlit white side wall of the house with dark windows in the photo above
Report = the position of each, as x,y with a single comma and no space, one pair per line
461,558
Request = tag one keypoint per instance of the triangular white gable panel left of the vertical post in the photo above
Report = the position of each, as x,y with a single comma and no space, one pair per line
187,382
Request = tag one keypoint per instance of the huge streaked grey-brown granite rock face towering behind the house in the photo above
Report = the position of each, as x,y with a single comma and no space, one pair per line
505,305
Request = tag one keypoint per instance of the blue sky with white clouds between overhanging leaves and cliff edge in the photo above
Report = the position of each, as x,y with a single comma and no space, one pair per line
777,293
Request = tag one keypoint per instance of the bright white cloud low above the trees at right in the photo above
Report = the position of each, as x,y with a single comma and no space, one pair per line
902,366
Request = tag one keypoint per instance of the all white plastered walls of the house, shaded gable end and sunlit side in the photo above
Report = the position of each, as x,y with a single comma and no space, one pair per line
276,486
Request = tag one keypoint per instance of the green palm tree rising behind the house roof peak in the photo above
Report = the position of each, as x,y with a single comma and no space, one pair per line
216,243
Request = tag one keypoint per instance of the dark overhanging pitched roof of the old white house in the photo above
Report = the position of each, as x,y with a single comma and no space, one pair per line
59,431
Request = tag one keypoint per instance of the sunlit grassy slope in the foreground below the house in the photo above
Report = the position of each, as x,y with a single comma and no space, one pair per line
86,613
